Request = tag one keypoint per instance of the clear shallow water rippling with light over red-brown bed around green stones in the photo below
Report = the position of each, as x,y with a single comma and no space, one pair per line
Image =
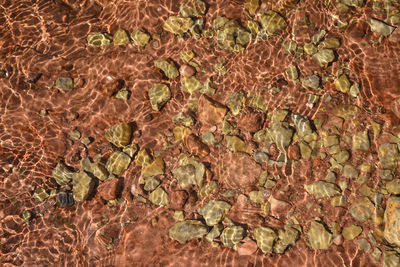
43,40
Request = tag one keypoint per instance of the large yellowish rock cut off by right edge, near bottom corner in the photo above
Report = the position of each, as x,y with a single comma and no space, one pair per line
392,221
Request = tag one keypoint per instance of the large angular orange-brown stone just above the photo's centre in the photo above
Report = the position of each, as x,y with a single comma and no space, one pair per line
210,112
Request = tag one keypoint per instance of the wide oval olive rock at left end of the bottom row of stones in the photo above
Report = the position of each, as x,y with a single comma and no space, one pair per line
187,230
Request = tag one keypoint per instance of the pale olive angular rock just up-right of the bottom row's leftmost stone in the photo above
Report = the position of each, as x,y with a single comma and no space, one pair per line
214,211
